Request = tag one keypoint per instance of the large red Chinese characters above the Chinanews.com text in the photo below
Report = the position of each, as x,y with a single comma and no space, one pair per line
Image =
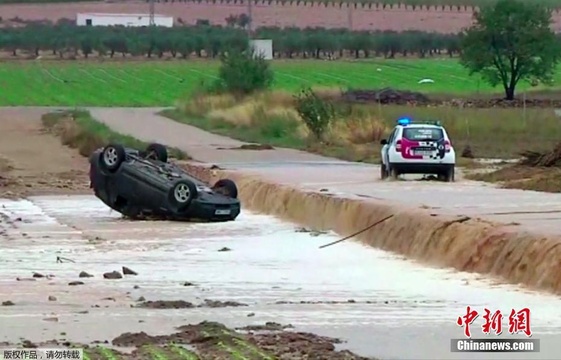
518,321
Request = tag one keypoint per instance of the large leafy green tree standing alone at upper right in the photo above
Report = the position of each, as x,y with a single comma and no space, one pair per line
511,41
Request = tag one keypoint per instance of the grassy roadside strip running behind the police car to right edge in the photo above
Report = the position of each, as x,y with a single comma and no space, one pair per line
356,132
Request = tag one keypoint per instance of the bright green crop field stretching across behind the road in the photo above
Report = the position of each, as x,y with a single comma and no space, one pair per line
162,83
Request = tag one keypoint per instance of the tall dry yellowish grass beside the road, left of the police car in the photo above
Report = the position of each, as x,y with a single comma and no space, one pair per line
270,118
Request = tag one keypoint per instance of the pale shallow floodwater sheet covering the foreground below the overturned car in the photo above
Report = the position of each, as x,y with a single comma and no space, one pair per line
380,304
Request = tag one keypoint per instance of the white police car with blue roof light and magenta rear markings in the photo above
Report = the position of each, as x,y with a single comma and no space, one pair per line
418,148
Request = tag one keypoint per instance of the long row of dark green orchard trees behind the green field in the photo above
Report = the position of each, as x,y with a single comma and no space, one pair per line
211,41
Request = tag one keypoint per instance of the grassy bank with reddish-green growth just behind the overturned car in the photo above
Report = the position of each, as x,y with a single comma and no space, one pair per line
77,129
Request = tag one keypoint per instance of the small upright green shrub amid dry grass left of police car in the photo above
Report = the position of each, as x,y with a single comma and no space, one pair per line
314,111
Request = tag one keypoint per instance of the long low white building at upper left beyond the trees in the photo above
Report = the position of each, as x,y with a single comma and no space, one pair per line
100,19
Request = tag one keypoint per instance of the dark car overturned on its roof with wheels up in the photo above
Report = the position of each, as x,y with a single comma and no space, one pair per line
143,184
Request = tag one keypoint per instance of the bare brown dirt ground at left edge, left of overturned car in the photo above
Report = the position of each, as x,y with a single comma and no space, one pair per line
33,162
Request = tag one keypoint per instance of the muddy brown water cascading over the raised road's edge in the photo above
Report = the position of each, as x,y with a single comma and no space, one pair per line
460,242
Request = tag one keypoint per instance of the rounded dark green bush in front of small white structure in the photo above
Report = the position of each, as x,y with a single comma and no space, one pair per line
243,73
